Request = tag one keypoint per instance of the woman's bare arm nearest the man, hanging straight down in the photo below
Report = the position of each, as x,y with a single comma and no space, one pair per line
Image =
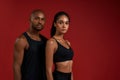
50,49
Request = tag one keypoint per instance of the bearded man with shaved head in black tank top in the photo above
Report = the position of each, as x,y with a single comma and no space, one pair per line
29,50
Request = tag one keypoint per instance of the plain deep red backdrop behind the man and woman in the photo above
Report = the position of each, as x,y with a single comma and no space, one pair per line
94,34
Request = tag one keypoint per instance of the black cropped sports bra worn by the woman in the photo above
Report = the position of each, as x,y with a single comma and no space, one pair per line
62,53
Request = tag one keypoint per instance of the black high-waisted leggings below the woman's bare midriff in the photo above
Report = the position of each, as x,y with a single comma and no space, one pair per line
57,75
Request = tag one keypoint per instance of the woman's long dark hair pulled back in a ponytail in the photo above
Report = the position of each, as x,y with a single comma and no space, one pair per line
56,17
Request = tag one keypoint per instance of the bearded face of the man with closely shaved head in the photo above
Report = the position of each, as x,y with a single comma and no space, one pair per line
37,21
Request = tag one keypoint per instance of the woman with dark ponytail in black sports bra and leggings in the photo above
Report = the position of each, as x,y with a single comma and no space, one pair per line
58,50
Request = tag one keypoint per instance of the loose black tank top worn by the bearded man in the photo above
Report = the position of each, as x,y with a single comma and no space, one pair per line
33,66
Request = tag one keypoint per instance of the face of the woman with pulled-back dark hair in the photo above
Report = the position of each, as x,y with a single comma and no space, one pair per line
62,24
